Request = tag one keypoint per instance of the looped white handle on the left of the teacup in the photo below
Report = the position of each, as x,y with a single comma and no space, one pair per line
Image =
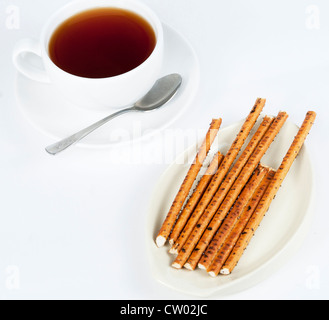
23,62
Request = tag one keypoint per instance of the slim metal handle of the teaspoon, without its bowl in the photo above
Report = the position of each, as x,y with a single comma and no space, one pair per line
64,144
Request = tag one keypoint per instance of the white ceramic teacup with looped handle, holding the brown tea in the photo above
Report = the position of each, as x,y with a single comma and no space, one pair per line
114,92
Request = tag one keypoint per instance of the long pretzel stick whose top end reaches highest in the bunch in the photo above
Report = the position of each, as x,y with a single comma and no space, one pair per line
220,175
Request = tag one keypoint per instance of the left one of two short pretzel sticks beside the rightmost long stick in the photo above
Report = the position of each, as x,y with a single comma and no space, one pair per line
231,219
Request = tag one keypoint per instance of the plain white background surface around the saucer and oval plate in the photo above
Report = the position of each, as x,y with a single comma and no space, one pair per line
73,226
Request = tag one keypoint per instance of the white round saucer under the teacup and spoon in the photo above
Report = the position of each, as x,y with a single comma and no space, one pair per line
52,115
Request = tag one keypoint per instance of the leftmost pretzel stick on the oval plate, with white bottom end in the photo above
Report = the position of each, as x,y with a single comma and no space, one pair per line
188,183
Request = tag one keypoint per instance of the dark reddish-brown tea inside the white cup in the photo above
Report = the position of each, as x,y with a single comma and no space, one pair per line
101,43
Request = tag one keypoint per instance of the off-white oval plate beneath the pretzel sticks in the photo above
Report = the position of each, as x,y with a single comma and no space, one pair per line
278,237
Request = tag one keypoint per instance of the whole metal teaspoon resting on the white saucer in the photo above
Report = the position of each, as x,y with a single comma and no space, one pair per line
163,90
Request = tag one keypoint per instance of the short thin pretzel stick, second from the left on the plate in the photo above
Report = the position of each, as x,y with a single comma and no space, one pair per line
196,196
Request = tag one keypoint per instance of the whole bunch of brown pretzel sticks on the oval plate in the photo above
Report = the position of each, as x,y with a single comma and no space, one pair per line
212,228
